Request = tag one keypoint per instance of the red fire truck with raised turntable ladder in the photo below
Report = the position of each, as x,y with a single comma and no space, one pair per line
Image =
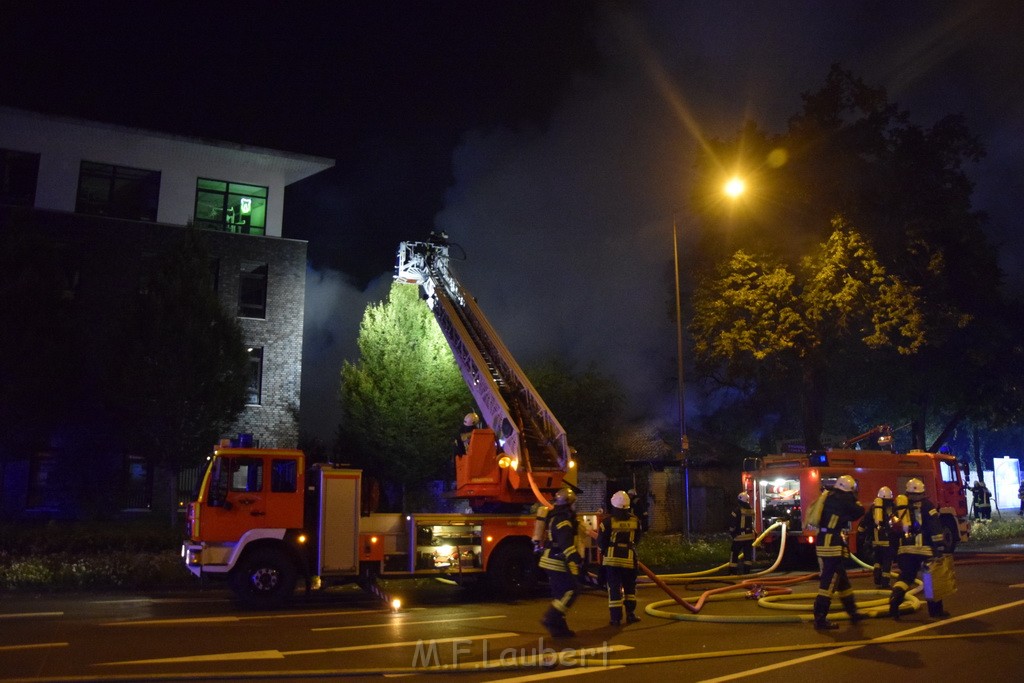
264,519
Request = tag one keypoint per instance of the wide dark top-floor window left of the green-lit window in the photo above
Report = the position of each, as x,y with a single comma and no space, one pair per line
120,192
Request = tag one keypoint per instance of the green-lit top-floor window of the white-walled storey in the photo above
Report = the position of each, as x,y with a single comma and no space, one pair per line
231,207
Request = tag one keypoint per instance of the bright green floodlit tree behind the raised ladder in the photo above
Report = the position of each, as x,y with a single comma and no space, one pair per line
403,401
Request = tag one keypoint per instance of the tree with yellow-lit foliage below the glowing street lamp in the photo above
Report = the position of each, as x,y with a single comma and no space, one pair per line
758,321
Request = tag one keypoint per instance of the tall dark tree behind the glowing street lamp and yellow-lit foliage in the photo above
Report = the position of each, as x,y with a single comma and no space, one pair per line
850,152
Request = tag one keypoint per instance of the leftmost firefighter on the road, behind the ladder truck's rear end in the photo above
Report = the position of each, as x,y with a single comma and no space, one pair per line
562,563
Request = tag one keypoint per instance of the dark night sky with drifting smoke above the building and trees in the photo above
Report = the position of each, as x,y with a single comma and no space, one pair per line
552,141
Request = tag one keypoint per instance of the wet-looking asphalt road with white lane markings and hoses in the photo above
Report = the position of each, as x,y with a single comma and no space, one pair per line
343,633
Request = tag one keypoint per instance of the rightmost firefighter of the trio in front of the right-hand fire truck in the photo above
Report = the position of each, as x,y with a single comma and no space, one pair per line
920,540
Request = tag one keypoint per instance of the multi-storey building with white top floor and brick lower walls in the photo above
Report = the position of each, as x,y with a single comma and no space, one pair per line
112,195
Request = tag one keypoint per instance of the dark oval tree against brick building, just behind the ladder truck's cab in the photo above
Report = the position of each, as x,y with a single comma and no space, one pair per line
182,368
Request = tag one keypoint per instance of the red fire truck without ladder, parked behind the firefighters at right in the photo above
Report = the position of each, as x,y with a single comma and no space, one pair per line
783,487
